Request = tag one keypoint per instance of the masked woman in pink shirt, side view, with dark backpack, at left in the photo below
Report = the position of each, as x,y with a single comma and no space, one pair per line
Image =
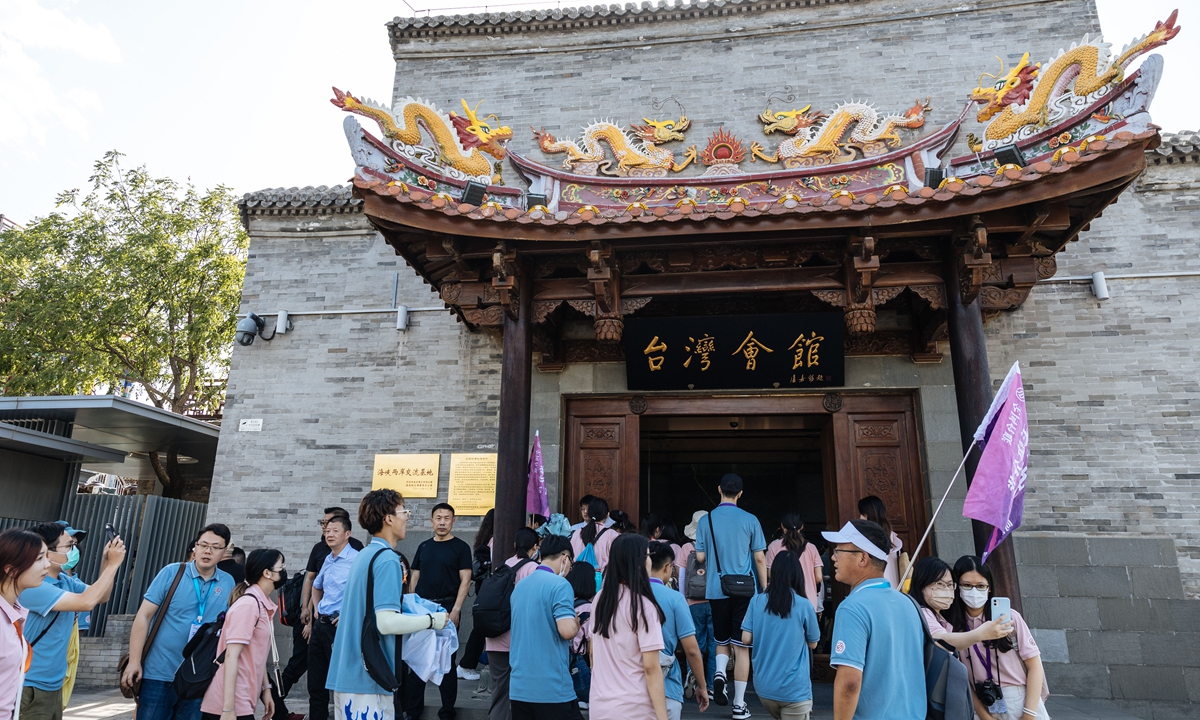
247,643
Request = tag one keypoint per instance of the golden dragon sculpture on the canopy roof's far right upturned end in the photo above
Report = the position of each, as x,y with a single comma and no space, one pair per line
1028,98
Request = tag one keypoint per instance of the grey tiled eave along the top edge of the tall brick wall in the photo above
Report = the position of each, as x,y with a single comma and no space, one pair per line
565,19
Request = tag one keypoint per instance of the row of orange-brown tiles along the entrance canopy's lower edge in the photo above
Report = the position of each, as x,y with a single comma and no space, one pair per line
692,212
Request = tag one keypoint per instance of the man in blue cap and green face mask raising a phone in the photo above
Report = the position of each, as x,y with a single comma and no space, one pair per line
52,616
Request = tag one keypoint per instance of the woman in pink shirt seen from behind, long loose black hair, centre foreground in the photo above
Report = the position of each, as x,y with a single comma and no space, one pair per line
627,639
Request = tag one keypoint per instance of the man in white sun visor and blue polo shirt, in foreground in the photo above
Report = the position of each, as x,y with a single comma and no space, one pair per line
878,638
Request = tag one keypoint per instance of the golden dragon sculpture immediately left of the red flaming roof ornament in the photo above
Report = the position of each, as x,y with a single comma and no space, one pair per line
638,155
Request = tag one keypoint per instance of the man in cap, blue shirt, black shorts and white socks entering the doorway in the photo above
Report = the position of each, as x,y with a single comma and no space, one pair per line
736,541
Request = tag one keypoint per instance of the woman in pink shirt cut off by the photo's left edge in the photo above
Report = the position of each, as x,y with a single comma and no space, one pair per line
23,566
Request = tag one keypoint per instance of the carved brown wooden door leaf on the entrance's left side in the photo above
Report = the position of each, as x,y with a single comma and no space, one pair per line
602,455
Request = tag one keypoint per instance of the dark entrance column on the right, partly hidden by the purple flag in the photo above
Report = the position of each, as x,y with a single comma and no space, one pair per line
973,389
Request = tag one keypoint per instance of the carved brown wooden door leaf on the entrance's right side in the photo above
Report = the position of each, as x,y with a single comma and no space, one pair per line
877,454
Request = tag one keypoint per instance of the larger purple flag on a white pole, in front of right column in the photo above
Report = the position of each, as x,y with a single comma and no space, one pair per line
998,493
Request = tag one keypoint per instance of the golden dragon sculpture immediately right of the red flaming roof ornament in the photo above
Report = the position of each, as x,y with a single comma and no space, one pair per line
820,140
